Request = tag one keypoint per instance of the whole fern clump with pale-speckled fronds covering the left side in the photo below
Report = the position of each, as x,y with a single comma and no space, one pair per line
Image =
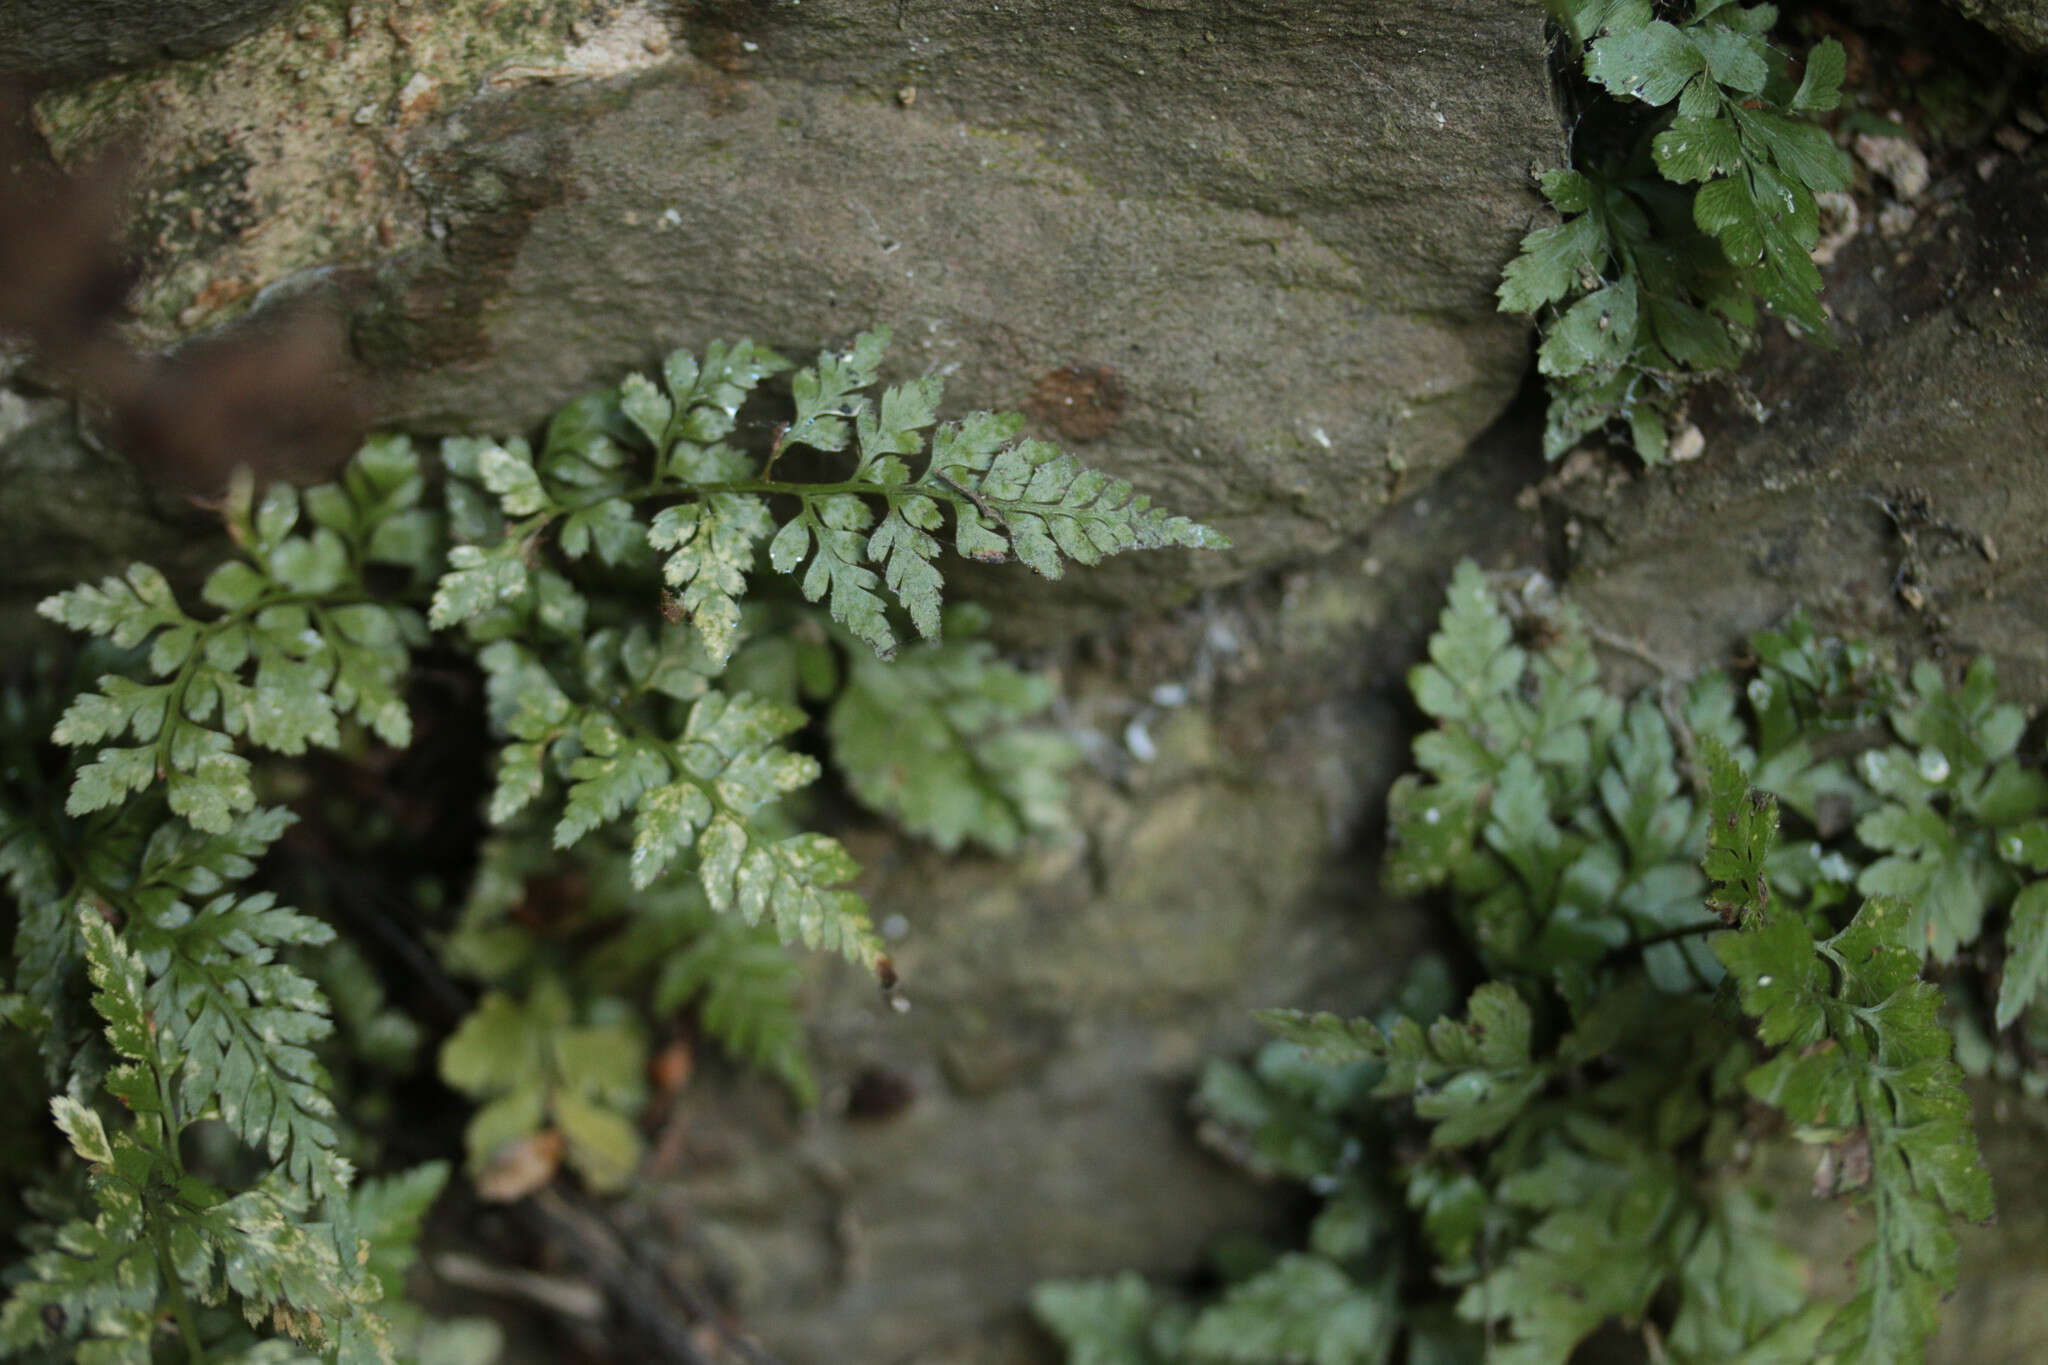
599,578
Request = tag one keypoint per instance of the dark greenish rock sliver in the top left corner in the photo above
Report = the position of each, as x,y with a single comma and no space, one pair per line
79,40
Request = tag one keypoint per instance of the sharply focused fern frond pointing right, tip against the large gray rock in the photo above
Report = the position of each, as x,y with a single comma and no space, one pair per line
859,545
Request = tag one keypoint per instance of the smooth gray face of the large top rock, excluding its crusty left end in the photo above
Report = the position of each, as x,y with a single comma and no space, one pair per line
1269,236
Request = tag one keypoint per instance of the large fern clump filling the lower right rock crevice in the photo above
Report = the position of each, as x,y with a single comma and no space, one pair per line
1666,981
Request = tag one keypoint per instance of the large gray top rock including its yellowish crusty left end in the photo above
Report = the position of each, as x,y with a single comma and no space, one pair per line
1273,228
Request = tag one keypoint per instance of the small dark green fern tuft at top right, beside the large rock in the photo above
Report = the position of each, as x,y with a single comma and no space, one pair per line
1689,206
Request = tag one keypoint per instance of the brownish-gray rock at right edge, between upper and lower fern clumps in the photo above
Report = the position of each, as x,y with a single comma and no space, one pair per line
1934,404
